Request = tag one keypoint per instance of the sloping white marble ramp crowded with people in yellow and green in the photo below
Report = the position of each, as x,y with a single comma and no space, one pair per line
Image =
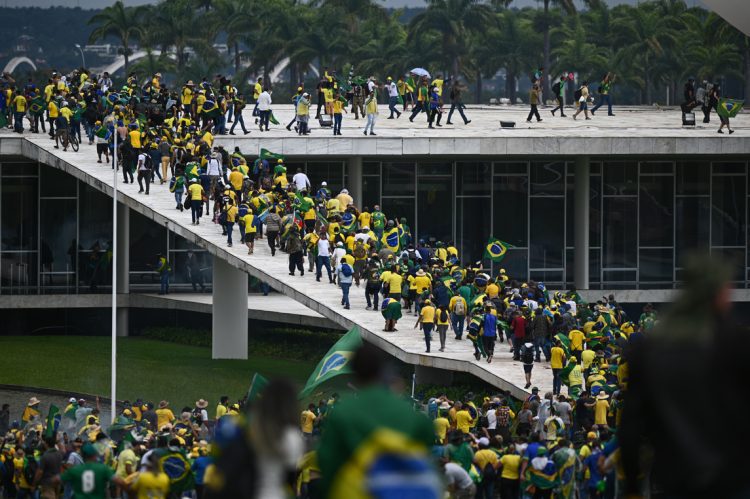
407,344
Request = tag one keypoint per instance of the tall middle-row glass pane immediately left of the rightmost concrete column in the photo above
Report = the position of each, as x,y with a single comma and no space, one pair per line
547,233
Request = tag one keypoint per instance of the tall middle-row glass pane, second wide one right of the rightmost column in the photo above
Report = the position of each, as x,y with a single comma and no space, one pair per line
656,210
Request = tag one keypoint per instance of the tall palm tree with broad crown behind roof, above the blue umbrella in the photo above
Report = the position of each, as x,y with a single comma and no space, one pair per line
454,19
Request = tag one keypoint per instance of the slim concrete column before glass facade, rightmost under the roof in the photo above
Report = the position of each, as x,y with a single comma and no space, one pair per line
581,193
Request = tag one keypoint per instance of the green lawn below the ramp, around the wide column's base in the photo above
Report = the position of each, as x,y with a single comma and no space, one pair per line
152,370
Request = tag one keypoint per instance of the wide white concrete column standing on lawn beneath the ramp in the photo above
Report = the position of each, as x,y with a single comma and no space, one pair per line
229,317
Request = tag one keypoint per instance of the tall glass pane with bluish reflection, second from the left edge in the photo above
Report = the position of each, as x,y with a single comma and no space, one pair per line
57,237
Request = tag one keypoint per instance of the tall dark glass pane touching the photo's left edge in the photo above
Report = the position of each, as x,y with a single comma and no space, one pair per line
19,213
